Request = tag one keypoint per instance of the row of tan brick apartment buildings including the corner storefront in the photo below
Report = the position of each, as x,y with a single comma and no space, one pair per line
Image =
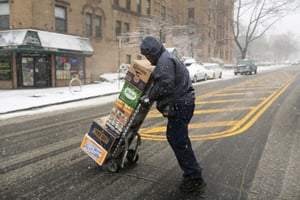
46,43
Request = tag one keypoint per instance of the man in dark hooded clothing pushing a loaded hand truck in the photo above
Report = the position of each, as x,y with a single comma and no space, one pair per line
175,99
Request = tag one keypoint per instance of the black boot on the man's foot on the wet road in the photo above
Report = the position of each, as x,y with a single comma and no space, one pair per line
191,185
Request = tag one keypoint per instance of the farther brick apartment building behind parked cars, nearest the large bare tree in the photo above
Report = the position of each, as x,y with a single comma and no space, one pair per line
208,35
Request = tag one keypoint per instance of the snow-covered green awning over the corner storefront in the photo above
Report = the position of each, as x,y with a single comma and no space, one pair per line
38,41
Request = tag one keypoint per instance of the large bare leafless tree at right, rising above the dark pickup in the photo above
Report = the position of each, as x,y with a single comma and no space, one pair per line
260,16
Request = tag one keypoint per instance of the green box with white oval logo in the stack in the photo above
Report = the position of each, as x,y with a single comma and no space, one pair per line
130,95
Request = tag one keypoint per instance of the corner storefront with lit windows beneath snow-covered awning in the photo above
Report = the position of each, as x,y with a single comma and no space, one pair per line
33,58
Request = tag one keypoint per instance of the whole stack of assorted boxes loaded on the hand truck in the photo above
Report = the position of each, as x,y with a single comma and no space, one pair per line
104,133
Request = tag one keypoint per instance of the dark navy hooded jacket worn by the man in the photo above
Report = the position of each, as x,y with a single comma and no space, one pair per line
172,83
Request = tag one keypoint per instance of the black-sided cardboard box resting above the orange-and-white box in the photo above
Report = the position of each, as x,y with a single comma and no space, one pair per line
104,136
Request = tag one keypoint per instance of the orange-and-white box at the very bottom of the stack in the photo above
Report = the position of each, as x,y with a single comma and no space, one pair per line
93,149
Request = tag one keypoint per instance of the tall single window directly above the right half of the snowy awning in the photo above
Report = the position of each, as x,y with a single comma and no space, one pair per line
60,19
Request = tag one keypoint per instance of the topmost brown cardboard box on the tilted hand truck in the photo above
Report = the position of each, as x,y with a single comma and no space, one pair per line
139,73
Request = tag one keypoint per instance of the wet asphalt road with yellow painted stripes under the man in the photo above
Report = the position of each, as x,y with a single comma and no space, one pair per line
245,133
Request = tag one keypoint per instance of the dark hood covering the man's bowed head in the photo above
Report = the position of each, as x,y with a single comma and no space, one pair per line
152,49
